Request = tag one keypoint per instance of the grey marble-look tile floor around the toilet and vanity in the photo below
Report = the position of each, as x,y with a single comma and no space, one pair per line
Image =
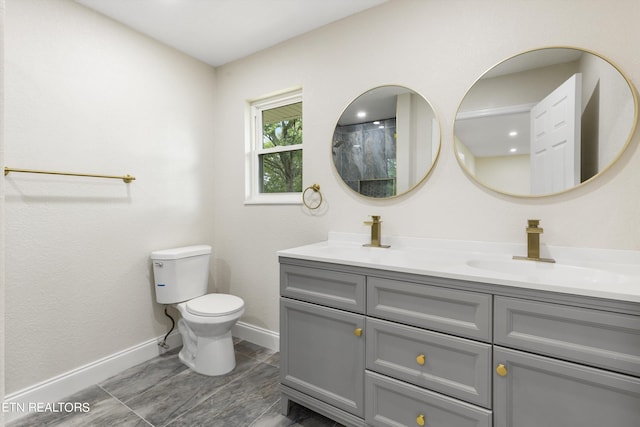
163,392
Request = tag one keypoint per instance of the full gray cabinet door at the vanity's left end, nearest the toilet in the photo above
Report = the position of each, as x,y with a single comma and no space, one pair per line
322,353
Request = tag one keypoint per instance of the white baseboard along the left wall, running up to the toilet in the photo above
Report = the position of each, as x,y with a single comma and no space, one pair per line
68,383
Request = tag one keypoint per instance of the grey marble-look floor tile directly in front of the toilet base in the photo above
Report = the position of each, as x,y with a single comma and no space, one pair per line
180,393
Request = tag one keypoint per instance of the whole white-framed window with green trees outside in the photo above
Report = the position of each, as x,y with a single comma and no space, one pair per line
274,150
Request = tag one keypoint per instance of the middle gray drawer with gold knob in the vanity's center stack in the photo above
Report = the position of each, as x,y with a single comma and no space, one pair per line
454,366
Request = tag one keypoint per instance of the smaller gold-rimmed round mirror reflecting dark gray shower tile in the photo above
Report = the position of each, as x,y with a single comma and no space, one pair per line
386,142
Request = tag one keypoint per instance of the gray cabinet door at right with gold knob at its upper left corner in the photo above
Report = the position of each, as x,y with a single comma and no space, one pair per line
538,391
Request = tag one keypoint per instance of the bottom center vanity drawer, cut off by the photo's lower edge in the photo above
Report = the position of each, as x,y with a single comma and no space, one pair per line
394,403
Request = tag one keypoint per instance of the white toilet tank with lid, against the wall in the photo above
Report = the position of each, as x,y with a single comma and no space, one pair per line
181,274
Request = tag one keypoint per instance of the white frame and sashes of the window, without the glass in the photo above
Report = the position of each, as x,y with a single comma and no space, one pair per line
253,148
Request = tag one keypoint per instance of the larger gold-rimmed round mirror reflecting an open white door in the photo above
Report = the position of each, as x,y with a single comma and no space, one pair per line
545,121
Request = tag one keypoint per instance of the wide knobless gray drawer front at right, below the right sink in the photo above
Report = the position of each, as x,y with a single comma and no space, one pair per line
598,338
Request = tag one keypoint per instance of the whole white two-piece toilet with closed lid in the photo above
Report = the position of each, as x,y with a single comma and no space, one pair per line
181,278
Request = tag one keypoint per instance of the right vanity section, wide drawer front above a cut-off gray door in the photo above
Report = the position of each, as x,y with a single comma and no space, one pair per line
567,366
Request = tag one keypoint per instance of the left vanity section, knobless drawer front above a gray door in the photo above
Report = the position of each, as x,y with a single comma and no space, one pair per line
322,341
